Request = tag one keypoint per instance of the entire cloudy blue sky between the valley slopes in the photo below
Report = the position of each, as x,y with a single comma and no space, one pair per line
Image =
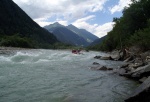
95,16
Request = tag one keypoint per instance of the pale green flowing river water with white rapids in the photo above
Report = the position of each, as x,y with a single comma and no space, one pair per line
59,76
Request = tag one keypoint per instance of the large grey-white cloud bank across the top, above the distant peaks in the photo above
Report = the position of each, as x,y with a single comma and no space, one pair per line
68,8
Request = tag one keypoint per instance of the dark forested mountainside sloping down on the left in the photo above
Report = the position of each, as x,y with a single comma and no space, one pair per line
19,30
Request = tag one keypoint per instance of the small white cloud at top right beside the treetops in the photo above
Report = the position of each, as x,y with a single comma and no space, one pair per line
120,6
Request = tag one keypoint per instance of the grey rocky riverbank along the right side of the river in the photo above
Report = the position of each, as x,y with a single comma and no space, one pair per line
136,67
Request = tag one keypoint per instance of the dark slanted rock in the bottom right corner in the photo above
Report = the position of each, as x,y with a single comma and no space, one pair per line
141,94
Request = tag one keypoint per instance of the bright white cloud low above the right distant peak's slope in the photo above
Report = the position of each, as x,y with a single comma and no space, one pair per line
98,30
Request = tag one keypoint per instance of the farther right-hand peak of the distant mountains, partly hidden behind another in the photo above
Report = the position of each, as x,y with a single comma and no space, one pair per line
89,37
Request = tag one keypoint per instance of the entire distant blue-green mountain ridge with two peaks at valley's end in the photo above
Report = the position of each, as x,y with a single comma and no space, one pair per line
71,34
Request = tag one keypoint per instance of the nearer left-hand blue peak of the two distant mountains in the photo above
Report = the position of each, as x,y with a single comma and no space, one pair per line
65,35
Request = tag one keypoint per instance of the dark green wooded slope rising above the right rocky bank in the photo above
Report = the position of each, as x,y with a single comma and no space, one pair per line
132,29
